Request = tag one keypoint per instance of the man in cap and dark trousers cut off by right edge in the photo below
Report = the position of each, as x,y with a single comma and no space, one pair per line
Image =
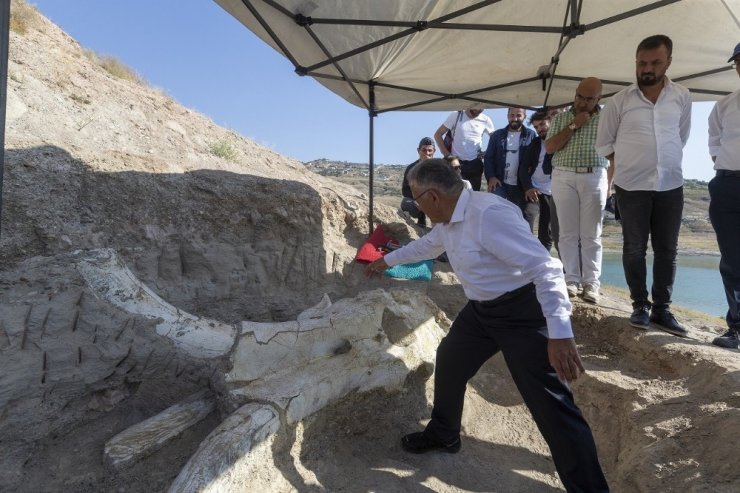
724,206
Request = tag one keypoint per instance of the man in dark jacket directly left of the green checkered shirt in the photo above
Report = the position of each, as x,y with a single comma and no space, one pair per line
535,178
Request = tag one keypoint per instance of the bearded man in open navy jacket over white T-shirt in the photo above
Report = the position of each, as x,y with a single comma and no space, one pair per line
502,157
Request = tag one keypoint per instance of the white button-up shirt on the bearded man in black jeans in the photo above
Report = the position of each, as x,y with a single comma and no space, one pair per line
647,139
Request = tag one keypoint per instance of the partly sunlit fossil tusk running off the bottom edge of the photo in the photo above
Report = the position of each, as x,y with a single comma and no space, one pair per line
216,464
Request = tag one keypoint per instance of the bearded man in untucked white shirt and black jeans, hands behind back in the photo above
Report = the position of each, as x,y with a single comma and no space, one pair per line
642,131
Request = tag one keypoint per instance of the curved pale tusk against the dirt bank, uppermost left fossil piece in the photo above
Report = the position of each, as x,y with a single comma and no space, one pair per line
112,280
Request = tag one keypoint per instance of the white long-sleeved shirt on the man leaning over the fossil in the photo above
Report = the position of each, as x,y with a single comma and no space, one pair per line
493,251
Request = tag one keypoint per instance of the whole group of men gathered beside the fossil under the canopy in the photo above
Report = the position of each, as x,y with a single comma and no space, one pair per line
558,177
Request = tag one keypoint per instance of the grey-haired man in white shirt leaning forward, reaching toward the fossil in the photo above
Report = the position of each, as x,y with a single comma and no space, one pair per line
518,305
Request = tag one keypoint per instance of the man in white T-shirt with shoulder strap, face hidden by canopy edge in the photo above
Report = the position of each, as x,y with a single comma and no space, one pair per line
467,128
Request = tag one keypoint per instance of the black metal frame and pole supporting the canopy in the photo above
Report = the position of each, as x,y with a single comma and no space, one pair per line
364,91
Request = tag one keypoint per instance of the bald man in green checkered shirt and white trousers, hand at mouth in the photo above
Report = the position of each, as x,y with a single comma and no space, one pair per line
579,189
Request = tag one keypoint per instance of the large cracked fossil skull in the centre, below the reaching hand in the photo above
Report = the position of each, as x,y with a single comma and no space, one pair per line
305,364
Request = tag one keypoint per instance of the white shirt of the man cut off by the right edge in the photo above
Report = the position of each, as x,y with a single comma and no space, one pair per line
724,132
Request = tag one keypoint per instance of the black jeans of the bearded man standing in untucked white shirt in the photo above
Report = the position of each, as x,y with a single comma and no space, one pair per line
657,216
